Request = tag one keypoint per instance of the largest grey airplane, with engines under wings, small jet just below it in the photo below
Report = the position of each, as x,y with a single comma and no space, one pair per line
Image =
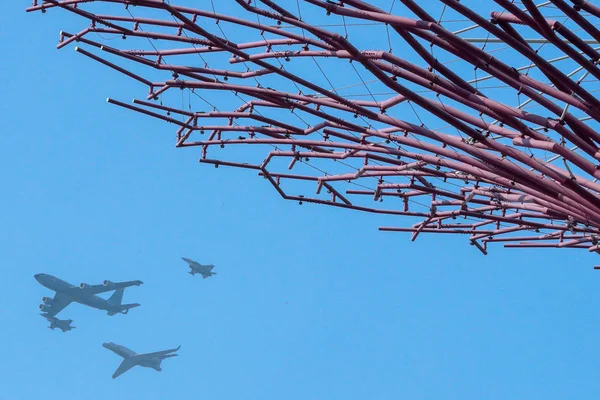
84,294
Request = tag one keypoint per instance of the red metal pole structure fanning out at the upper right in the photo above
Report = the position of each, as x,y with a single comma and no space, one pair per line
488,127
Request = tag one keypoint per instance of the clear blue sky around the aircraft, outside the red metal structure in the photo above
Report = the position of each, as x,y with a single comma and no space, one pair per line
309,302
